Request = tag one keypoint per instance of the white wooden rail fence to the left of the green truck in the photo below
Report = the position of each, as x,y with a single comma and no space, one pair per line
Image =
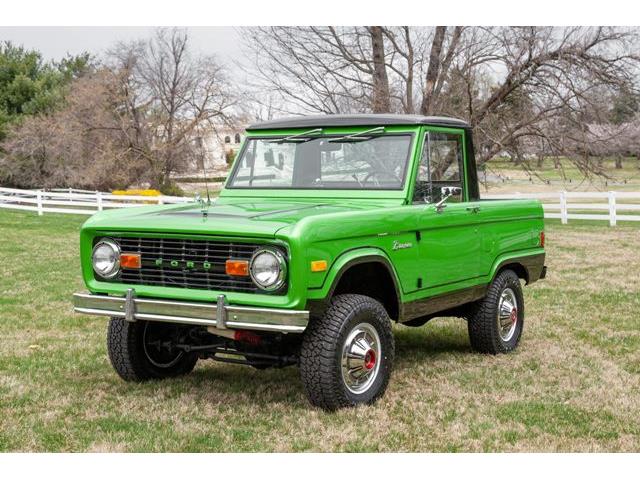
76,201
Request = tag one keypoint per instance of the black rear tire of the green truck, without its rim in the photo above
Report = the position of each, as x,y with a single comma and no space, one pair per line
482,320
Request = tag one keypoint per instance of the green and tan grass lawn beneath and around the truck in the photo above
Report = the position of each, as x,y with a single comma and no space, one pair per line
573,384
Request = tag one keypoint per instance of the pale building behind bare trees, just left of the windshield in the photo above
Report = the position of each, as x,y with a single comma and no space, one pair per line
219,145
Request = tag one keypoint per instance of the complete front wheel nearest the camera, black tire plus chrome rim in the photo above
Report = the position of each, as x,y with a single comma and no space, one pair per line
347,355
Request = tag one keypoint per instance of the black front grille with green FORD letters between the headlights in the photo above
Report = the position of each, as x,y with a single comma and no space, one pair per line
186,263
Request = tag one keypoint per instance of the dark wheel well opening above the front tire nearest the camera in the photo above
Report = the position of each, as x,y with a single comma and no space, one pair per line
374,280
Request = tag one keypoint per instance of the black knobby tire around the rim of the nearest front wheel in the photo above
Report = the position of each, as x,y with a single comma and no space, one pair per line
321,352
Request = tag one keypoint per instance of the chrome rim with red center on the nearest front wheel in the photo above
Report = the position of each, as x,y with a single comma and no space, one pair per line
361,356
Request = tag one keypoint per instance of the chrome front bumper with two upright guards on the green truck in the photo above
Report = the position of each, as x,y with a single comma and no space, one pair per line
219,315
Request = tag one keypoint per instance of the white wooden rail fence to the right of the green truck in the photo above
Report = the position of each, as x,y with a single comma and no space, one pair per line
579,205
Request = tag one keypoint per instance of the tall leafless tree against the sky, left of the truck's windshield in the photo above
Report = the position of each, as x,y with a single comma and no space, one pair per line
167,99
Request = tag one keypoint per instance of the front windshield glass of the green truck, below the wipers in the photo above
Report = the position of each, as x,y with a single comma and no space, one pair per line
373,163
